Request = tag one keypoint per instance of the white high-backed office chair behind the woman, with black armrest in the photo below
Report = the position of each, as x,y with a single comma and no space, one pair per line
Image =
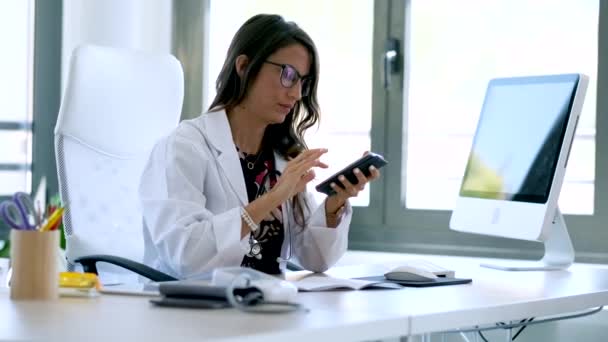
116,105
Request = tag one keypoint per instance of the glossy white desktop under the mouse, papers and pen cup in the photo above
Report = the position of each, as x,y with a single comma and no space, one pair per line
339,315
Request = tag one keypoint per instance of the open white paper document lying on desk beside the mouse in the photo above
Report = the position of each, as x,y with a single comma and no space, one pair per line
322,282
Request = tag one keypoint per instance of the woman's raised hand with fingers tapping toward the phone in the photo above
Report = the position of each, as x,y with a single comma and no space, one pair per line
298,173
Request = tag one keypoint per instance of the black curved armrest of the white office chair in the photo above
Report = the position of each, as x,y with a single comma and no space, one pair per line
89,264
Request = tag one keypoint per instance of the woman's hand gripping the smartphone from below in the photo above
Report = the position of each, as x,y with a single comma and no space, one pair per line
336,202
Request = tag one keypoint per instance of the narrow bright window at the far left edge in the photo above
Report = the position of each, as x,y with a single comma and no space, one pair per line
16,34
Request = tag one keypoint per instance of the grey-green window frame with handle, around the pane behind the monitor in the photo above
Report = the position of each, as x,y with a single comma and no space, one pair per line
427,231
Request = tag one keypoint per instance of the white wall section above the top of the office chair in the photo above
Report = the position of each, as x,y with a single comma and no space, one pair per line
136,24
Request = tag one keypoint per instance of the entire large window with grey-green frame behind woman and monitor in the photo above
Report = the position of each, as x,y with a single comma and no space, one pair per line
423,120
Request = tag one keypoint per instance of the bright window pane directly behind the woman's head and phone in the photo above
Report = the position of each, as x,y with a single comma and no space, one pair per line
342,31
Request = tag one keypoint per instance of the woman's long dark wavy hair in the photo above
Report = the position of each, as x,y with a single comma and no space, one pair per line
258,38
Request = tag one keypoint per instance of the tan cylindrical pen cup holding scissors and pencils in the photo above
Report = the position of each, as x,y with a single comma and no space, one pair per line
34,263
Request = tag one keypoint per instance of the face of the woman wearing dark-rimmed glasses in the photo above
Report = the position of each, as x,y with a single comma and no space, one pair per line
267,97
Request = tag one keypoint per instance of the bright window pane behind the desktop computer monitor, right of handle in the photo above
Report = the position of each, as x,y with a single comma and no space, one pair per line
455,48
